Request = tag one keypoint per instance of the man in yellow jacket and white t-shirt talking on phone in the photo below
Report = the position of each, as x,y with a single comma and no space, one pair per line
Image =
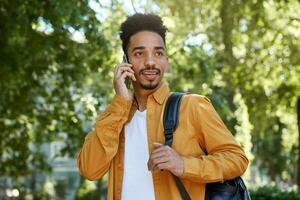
128,137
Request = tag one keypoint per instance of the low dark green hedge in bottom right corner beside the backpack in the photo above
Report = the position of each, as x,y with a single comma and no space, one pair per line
273,193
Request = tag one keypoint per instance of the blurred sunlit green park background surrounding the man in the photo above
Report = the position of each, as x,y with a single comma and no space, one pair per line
56,68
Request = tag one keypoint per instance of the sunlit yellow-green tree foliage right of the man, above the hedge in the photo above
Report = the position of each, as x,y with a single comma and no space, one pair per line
243,50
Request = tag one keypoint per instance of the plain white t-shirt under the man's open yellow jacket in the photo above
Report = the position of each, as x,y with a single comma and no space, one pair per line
137,180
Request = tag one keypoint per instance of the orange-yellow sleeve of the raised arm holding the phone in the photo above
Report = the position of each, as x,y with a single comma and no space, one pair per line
101,145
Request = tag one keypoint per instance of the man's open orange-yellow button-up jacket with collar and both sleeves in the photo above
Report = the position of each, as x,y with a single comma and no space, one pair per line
200,132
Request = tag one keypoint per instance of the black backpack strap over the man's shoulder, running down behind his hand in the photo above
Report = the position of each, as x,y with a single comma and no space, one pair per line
170,122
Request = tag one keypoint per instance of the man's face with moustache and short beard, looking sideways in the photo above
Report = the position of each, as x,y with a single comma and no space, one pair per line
147,54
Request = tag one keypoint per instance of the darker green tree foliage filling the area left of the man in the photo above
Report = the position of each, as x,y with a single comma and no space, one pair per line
47,90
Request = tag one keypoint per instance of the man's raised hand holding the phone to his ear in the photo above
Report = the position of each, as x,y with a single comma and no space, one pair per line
122,71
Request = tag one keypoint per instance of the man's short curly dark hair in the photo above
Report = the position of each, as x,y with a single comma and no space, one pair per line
141,22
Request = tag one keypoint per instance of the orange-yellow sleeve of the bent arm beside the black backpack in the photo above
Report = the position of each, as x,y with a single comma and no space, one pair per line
224,159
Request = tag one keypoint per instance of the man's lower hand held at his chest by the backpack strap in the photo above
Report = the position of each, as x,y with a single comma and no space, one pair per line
164,157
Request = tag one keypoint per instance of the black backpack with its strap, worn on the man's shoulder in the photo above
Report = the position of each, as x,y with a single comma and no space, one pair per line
234,189
